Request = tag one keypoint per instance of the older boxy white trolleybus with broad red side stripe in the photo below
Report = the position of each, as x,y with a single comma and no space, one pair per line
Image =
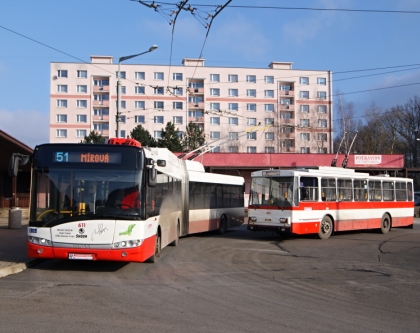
327,199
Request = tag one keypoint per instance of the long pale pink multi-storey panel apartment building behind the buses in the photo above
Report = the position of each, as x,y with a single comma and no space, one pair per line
256,110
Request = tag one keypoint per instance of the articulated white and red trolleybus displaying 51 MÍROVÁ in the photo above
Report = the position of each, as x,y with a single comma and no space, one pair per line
122,202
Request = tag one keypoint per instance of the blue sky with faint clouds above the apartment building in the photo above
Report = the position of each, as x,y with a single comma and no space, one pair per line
239,37
